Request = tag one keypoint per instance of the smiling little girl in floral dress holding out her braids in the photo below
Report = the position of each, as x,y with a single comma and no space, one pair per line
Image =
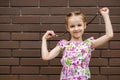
76,52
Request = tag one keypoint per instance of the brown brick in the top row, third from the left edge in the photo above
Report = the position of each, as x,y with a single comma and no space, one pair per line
55,3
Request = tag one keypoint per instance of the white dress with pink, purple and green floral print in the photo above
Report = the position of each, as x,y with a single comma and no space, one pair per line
75,59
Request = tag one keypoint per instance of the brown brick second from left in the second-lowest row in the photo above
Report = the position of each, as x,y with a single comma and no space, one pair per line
25,70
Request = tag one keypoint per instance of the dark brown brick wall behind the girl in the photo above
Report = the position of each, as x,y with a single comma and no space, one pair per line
23,22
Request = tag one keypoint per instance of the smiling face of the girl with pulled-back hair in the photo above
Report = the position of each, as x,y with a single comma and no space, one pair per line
76,26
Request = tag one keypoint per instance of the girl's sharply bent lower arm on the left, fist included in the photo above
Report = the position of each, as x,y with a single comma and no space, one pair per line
46,55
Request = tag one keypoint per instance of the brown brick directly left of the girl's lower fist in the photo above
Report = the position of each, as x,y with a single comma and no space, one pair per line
25,36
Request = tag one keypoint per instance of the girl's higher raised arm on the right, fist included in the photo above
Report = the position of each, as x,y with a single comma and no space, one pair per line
108,29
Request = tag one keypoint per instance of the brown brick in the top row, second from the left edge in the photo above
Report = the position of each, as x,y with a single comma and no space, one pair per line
24,2
